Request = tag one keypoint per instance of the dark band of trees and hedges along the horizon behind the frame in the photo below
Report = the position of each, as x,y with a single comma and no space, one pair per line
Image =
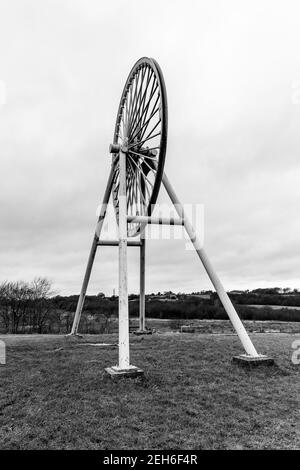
34,307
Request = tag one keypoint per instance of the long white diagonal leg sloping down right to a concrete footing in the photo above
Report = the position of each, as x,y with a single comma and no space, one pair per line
229,308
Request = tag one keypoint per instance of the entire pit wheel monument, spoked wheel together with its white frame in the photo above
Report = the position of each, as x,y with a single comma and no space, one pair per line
134,181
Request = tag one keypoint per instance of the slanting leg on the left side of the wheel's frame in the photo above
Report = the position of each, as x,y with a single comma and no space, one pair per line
92,254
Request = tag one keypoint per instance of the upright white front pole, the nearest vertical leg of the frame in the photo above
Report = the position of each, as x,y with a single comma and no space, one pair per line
123,290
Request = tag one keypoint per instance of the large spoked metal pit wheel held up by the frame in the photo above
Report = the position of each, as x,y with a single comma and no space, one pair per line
141,133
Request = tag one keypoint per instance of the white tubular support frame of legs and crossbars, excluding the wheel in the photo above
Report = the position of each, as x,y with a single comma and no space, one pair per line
123,294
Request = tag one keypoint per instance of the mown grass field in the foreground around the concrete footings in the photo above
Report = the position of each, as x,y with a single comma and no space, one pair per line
54,394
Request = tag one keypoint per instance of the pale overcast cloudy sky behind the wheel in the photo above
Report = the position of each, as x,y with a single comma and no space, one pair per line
232,71
